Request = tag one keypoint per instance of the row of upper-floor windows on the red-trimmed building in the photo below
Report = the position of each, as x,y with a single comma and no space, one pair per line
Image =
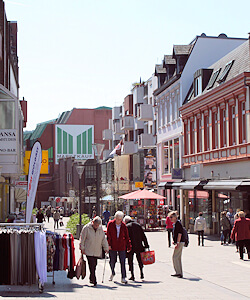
224,130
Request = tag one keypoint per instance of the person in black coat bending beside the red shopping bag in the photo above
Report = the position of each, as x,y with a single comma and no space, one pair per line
139,243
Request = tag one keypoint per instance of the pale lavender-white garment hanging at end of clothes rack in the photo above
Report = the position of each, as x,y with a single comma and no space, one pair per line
41,255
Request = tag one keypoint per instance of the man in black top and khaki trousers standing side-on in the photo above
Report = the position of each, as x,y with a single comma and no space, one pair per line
179,244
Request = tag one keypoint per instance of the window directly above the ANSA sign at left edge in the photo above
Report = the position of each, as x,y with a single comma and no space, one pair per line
7,114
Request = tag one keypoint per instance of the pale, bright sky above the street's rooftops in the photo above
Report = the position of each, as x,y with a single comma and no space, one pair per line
87,53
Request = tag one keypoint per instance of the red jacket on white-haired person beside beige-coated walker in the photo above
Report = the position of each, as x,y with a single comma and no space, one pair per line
122,242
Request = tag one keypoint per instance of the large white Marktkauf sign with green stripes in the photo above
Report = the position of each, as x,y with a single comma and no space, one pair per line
74,141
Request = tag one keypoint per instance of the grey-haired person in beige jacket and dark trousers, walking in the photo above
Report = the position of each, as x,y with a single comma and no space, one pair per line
92,240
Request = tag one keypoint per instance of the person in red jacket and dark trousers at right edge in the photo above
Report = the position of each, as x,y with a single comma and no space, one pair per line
241,233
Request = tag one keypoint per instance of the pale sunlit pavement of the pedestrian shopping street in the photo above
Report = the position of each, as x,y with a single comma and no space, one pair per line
210,272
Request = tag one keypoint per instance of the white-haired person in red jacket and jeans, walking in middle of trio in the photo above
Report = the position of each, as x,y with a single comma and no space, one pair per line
119,243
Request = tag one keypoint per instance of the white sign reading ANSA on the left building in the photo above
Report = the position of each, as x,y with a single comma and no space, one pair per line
8,141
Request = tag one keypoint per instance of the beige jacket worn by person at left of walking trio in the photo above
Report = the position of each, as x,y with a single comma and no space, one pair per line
91,241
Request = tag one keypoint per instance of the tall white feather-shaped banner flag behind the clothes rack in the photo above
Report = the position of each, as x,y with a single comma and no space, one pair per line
33,177
